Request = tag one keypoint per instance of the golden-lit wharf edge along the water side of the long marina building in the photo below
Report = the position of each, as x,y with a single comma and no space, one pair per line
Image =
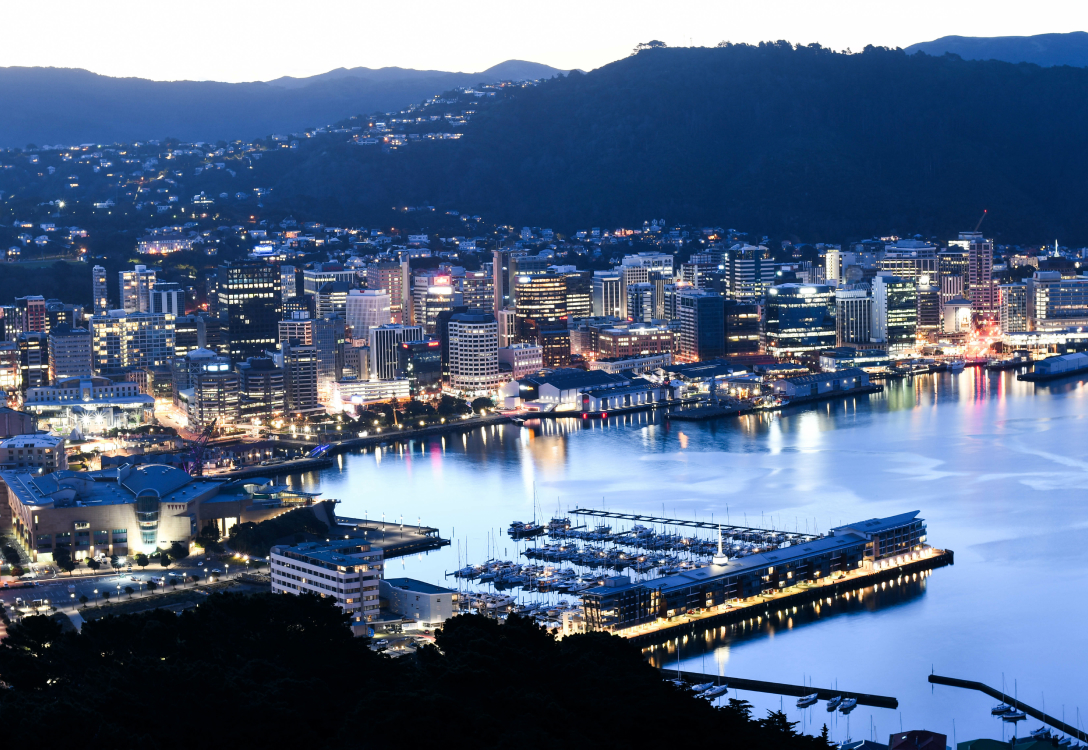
761,608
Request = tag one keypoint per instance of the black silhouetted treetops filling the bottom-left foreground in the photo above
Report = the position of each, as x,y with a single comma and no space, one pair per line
276,671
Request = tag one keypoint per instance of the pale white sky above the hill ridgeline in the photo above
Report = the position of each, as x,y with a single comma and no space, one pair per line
245,41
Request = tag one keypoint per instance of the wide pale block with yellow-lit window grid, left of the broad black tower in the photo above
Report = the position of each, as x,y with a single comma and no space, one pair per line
121,341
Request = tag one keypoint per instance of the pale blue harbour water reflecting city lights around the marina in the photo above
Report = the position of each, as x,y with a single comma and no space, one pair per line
999,470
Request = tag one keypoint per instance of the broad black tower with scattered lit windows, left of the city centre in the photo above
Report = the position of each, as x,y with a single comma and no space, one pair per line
250,308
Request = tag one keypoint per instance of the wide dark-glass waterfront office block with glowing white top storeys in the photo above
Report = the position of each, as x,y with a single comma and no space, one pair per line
800,319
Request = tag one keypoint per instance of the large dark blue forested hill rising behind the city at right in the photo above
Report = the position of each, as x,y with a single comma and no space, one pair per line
772,139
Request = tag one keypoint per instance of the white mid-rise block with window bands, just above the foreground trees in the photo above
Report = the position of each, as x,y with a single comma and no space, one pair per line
349,572
